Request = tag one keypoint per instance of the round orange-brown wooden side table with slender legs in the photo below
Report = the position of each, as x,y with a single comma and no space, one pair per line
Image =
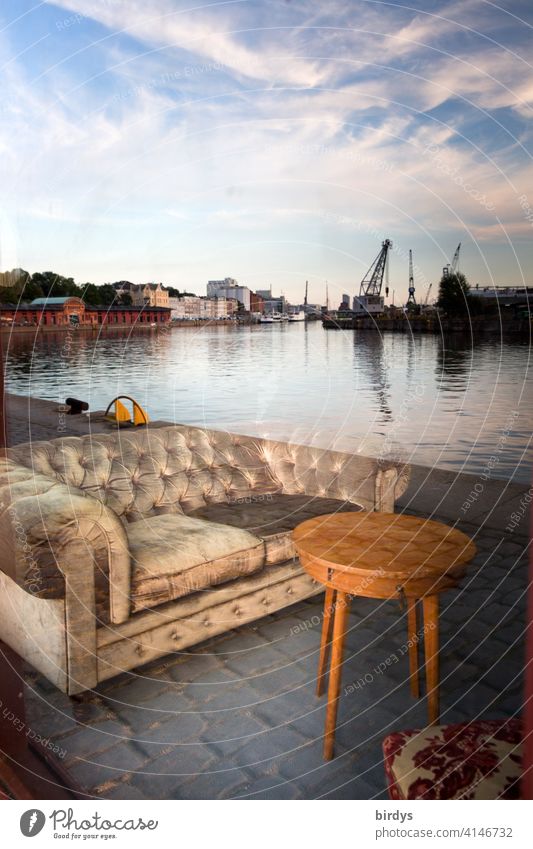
381,555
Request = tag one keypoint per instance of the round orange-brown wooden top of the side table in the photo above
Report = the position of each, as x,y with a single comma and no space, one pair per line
392,544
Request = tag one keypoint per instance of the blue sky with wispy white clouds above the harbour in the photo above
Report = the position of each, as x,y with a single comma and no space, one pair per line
273,141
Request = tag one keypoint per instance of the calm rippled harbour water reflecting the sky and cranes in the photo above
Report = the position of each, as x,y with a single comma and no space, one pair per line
450,403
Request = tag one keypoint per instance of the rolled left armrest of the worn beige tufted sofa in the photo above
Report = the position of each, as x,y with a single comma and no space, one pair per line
57,542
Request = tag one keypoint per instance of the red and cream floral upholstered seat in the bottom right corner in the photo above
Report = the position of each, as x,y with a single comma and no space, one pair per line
474,760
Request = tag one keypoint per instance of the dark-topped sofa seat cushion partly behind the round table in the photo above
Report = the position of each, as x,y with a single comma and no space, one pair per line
273,518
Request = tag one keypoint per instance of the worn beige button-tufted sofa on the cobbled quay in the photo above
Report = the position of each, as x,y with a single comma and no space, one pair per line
120,548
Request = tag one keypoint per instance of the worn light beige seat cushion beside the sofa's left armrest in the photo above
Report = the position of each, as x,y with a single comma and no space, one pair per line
174,555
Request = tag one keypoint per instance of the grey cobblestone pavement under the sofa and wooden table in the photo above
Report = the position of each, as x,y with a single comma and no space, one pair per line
237,717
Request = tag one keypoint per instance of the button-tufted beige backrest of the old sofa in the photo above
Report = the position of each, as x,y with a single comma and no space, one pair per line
180,468
